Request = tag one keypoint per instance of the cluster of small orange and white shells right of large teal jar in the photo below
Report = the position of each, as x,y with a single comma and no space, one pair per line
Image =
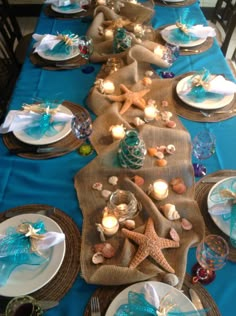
159,152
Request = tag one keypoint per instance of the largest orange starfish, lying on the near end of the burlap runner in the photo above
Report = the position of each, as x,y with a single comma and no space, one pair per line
150,244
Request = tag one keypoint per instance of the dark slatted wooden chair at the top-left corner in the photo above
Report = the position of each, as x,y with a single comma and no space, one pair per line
11,32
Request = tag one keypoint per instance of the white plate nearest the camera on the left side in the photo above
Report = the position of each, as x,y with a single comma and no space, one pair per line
27,279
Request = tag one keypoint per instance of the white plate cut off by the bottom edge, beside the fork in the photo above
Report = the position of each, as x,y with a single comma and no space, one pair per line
161,289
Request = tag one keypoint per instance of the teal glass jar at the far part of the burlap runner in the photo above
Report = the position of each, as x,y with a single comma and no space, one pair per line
122,41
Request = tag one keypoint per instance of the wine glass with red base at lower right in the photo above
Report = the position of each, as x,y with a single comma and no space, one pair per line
211,254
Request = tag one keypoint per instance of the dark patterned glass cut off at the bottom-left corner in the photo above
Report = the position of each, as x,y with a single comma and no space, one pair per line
23,306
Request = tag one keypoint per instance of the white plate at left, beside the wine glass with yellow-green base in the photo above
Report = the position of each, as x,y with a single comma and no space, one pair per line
62,131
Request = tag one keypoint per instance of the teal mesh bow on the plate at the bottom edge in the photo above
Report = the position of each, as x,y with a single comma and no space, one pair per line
138,306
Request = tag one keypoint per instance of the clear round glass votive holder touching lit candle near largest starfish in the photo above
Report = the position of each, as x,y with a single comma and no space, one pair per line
123,204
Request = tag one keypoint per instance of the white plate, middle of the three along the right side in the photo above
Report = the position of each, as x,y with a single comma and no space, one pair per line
208,104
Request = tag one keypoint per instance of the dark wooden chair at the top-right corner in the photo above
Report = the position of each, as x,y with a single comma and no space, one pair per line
224,20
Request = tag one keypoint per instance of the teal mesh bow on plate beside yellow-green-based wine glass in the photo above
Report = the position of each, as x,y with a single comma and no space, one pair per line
43,124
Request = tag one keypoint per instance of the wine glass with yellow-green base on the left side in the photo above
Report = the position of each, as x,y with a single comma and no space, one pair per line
81,125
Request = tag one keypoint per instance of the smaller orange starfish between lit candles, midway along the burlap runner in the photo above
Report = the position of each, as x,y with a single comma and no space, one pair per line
130,98
